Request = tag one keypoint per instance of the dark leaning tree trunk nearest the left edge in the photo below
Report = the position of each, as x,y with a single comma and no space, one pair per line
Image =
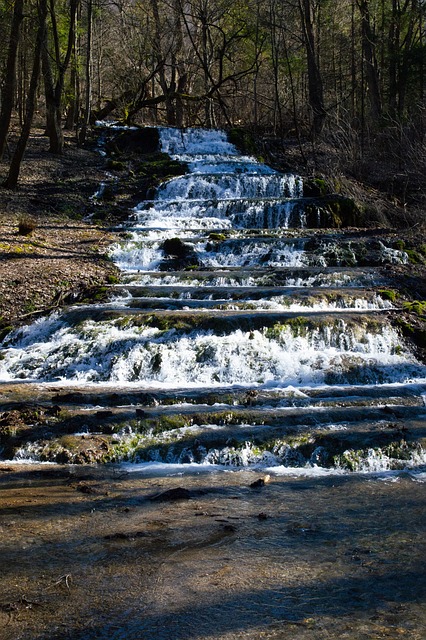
9,85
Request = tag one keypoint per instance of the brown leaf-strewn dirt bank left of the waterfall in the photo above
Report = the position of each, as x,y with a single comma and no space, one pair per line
56,256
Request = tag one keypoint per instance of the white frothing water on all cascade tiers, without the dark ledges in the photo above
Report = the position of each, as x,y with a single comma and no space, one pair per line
223,191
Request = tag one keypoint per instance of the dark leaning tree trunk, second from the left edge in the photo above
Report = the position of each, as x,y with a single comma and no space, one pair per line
15,165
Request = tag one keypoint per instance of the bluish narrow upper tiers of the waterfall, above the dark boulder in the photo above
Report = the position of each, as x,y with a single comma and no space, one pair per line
222,190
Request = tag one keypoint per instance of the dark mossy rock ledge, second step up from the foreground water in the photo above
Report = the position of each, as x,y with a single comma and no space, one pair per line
63,417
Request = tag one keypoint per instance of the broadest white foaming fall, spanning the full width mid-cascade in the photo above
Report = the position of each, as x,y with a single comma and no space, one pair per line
118,351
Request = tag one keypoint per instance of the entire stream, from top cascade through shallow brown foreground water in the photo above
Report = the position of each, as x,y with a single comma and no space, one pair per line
259,418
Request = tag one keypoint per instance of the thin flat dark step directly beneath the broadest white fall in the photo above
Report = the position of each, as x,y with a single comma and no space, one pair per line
14,395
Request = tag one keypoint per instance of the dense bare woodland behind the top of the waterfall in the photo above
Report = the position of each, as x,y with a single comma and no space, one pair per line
346,76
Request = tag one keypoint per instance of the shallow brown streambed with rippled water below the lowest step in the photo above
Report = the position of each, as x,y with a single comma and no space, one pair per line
90,553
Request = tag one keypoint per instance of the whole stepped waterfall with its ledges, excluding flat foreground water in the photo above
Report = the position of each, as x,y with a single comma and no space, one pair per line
237,337
